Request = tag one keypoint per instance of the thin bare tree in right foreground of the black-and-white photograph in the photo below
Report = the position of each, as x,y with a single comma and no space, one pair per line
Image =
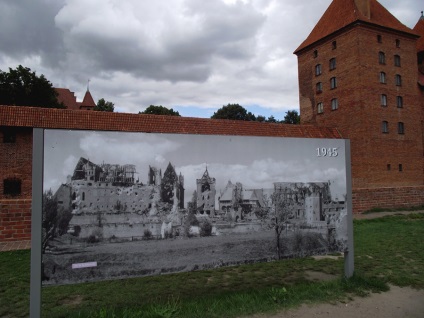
283,208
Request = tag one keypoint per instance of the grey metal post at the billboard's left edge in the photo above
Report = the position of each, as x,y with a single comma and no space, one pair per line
36,221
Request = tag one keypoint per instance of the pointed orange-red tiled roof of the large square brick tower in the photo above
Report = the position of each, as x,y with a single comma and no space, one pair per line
342,13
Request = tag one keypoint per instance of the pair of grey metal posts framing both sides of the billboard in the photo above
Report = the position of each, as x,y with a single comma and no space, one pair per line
36,220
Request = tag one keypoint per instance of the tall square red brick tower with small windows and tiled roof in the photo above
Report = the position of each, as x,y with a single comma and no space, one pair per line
358,72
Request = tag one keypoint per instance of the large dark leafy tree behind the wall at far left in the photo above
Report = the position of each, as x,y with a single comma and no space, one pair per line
21,87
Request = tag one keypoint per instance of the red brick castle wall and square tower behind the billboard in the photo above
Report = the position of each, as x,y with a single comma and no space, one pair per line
361,76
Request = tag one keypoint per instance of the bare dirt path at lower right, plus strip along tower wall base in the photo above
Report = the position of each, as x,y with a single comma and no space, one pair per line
396,303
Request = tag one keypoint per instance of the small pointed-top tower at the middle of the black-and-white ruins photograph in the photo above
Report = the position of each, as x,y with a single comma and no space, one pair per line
206,194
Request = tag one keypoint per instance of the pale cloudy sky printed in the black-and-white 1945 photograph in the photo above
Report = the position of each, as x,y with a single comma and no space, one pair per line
256,162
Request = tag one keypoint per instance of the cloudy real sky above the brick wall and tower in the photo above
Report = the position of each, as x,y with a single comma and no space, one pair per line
190,55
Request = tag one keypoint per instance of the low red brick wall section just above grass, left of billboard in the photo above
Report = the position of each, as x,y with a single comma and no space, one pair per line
15,220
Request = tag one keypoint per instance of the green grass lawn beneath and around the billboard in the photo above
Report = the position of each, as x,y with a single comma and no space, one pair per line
387,250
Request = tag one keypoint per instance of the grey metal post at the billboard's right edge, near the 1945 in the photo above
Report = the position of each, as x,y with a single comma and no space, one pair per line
349,254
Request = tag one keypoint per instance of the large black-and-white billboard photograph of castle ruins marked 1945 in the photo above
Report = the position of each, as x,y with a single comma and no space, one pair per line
118,205
